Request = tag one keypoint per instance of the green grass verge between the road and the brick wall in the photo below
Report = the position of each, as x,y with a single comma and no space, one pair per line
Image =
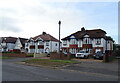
51,63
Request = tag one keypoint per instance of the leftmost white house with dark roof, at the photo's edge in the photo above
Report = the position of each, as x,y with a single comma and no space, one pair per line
7,43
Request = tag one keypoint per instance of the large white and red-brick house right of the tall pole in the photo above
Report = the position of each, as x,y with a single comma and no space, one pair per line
88,40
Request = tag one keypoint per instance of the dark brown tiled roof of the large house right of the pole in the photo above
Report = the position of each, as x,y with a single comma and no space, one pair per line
95,33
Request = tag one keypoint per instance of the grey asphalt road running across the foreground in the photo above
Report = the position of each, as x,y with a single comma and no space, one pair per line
18,72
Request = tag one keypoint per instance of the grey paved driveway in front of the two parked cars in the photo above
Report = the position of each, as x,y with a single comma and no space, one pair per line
95,67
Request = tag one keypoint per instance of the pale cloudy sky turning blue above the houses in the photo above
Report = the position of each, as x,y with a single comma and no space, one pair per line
29,18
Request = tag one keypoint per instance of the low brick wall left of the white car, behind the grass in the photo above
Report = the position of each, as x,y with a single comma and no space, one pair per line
60,56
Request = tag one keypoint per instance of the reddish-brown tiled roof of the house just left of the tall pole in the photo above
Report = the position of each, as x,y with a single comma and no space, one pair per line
46,37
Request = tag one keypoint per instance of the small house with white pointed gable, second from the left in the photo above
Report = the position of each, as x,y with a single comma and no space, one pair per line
20,44
